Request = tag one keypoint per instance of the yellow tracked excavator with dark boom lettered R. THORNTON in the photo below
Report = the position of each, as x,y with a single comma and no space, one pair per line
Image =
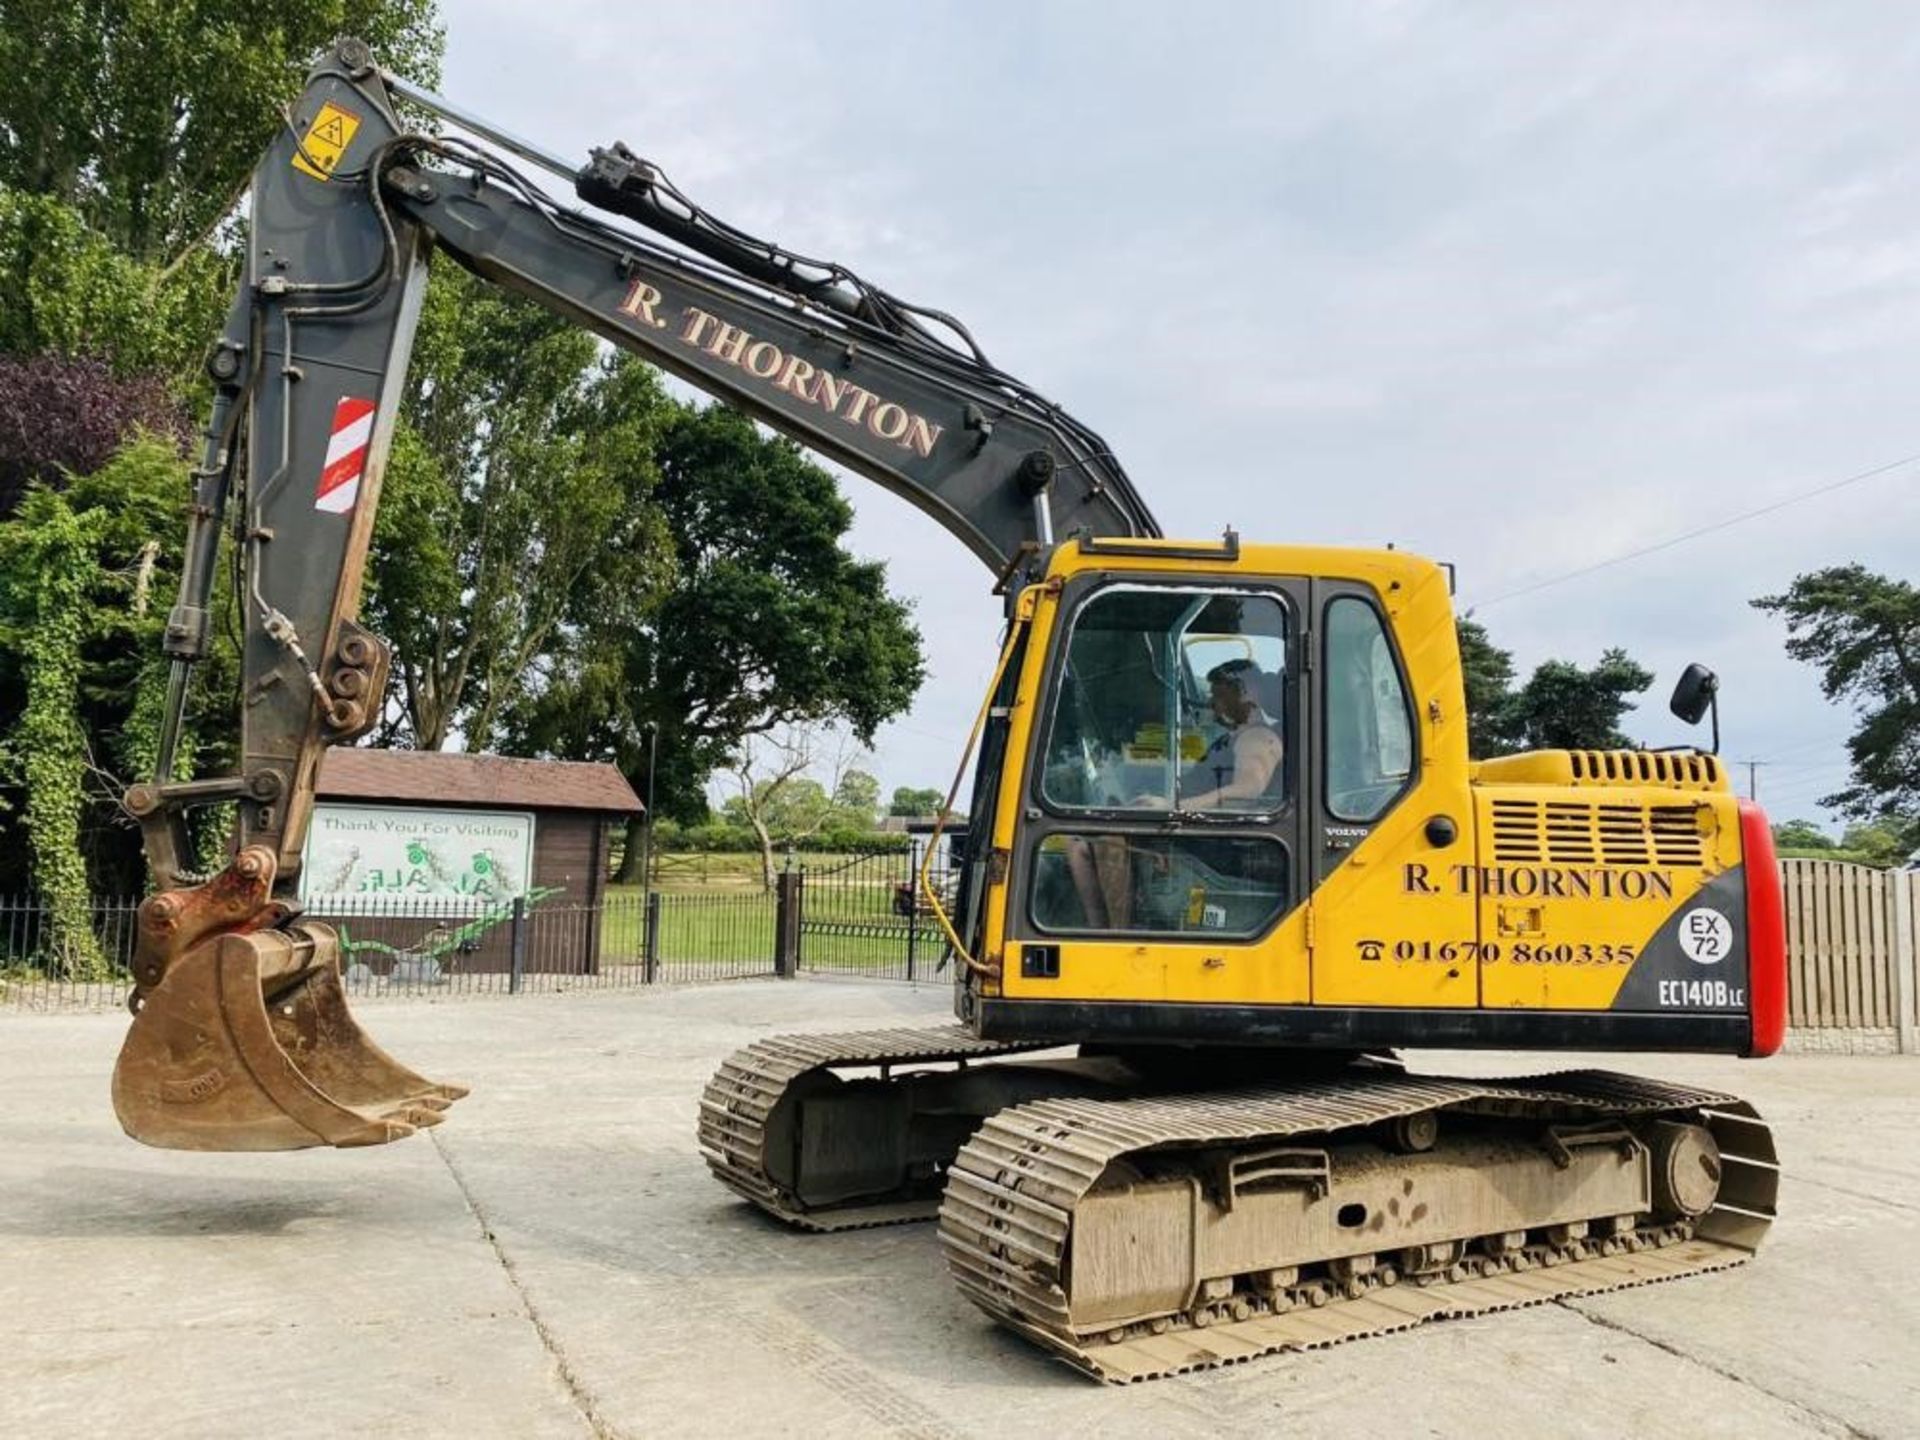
1226,853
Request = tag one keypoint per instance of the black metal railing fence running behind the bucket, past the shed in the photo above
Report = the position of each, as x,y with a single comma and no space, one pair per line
861,915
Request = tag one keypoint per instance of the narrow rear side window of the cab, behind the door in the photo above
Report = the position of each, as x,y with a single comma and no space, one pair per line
1370,721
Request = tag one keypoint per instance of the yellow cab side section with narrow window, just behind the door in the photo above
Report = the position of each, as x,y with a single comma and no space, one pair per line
1389,842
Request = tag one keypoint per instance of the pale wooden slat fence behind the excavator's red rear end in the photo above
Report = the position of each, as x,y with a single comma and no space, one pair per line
1850,948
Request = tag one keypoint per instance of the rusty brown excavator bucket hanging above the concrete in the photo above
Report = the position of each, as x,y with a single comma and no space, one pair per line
247,1044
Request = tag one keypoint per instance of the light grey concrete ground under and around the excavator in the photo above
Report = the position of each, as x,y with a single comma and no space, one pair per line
558,1262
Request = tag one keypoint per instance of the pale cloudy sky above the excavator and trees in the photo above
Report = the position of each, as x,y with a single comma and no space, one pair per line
1512,285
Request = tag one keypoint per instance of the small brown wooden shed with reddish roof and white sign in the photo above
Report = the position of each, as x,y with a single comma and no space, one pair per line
414,848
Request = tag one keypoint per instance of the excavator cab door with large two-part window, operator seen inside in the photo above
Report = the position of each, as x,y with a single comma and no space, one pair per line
1138,876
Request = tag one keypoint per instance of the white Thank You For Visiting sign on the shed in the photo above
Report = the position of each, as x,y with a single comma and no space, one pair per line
372,852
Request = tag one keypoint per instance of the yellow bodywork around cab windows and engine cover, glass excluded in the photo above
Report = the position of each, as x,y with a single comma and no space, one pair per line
1564,865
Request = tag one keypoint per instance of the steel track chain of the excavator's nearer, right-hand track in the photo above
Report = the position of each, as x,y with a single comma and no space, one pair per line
1013,1189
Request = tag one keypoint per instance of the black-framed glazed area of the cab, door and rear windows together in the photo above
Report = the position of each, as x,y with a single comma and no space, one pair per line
1174,761
